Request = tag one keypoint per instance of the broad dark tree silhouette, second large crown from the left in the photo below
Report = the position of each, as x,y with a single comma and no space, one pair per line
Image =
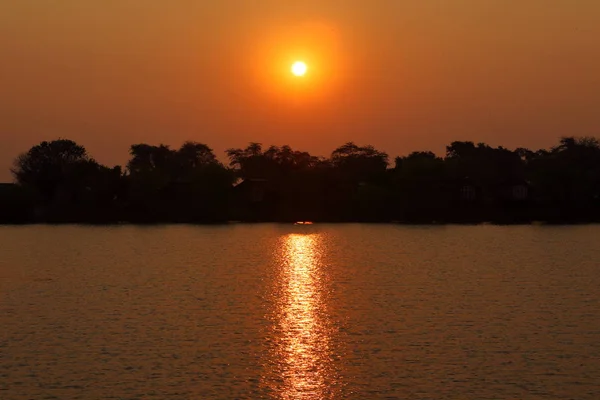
188,184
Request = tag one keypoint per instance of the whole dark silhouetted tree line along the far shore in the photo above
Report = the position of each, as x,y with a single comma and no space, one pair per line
59,182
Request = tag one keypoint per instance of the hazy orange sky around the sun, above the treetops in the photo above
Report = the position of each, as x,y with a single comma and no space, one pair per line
402,75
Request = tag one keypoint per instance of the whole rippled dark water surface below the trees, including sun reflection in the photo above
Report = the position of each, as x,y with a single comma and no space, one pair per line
313,312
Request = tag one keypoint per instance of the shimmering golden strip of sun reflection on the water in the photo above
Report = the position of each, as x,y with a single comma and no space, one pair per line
304,332
